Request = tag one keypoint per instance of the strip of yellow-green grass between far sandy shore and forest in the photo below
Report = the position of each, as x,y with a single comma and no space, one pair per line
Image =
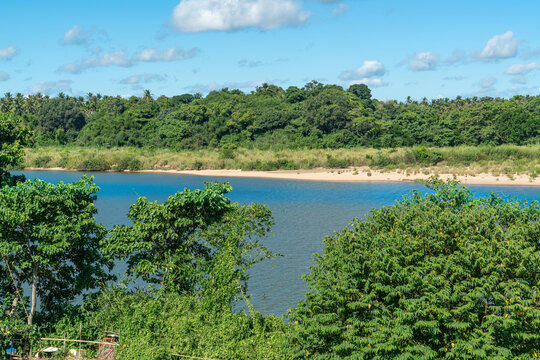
463,160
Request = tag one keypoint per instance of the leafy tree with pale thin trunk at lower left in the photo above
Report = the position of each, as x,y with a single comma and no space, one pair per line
50,241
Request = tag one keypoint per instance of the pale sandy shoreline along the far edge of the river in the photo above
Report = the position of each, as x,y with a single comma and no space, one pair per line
344,175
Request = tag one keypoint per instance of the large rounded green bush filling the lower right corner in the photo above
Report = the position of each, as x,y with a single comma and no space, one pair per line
441,275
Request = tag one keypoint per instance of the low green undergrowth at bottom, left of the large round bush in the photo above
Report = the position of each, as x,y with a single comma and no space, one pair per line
154,327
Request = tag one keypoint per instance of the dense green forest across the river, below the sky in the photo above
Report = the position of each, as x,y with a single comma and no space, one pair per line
314,116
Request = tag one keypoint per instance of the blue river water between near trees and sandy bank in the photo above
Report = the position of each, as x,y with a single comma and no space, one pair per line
304,211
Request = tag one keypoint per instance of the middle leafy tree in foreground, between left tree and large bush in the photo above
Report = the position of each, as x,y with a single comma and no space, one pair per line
197,241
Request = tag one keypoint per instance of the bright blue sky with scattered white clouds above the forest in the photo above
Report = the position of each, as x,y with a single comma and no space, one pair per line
417,48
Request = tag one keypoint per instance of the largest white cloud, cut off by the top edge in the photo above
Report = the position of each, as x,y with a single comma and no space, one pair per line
192,16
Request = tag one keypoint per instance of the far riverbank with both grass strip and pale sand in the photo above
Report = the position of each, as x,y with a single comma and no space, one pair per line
503,165
